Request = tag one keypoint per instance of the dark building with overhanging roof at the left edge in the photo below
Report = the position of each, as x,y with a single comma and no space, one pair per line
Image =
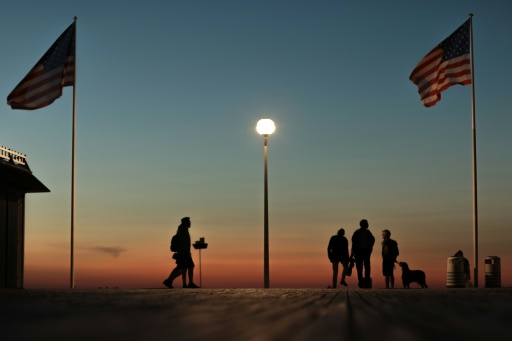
16,179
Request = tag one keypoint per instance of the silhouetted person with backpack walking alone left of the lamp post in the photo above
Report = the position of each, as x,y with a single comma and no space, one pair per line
180,245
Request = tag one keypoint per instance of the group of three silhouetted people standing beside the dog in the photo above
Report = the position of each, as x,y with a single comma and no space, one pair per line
362,248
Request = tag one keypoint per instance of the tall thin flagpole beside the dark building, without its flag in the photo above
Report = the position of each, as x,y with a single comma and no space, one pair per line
73,179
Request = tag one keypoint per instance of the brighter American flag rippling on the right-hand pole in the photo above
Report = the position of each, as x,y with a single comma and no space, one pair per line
448,64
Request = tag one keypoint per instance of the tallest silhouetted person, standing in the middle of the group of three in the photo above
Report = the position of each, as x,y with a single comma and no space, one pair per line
362,247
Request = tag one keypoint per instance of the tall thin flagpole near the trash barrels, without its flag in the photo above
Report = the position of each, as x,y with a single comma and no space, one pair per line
475,197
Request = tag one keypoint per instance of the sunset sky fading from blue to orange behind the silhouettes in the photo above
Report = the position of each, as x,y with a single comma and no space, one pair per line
168,96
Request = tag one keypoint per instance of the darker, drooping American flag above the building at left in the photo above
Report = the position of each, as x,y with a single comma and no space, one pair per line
44,83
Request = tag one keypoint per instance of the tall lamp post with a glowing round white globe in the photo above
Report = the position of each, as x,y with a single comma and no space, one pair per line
265,127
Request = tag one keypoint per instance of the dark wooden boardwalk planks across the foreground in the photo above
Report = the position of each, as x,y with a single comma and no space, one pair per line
256,314
